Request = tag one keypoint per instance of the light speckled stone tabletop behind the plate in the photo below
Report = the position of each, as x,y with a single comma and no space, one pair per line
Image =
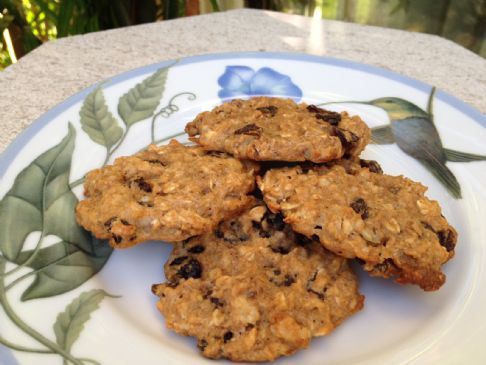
61,68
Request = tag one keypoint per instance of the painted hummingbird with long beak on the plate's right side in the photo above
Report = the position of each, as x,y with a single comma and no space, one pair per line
415,133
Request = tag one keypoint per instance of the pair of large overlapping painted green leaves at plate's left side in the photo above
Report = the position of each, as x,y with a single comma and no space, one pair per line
40,200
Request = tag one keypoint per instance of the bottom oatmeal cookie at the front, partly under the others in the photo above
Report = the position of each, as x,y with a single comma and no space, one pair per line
253,290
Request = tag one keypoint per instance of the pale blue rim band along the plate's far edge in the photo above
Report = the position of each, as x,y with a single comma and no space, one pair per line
16,145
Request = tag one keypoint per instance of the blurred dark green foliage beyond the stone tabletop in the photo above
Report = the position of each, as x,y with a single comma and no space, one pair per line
25,24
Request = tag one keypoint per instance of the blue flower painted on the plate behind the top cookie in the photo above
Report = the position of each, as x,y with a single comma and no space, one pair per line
243,81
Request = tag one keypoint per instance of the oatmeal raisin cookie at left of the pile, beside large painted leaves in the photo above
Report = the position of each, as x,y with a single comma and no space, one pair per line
165,193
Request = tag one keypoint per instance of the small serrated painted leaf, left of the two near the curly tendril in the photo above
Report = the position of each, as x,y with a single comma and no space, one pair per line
98,122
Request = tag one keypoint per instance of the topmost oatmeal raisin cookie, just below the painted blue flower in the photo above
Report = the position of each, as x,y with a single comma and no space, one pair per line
272,129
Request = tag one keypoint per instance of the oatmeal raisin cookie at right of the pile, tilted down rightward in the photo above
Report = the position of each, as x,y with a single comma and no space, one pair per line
385,221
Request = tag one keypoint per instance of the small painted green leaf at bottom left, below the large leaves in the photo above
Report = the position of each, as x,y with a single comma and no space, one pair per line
70,323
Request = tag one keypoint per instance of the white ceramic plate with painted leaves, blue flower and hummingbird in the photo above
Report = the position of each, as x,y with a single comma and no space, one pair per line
58,286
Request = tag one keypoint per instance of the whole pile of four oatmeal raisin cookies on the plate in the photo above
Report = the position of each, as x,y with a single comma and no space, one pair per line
265,213
